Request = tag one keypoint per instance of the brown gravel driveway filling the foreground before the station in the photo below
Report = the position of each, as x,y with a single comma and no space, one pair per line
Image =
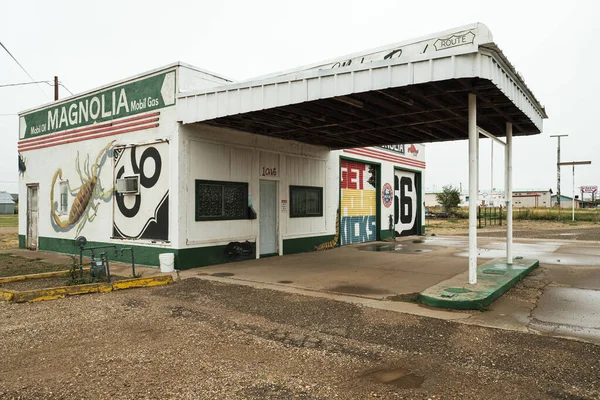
208,340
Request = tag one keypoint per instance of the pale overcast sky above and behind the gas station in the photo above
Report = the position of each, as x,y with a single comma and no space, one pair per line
88,44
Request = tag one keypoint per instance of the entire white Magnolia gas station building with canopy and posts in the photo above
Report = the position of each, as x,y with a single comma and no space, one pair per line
185,161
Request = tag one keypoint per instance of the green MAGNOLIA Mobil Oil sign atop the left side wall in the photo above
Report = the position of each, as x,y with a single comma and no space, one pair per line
143,95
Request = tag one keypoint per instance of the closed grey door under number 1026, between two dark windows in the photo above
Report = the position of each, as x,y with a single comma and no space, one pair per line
268,217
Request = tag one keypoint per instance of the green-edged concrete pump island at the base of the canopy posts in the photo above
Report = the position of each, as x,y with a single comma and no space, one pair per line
494,278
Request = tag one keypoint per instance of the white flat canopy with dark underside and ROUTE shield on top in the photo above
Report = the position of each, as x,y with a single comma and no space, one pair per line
409,92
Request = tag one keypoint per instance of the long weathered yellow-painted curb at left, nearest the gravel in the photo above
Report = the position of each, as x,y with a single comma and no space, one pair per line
60,292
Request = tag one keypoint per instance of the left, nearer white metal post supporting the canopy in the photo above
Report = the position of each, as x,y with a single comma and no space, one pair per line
473,187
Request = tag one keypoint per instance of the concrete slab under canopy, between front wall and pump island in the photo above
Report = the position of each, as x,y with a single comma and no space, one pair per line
376,271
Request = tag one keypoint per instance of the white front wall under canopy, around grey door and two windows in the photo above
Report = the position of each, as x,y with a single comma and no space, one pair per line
221,154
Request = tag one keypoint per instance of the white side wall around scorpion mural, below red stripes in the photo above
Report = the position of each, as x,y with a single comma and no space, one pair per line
42,164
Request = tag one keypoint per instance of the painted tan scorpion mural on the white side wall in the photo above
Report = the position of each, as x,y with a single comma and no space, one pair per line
85,195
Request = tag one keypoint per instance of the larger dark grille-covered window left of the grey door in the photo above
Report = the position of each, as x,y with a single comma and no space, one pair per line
217,200
